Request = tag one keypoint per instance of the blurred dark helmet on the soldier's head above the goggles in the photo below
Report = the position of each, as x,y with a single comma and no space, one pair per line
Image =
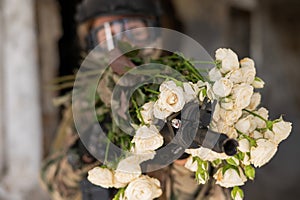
89,9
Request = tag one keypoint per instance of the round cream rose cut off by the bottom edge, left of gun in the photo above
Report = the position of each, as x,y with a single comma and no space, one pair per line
144,188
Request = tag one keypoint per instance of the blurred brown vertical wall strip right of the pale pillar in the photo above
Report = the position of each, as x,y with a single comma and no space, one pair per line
49,33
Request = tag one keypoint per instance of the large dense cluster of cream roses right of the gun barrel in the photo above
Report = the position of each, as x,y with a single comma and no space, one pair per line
237,115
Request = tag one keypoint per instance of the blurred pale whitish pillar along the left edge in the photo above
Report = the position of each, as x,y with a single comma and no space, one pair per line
21,102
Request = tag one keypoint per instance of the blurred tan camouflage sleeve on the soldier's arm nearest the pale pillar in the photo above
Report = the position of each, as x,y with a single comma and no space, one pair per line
58,176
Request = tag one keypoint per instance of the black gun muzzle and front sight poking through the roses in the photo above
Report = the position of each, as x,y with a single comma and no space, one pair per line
178,123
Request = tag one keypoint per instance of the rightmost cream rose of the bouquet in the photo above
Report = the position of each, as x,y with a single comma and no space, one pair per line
282,130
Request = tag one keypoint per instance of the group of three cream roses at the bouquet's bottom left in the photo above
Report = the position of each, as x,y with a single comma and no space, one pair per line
128,174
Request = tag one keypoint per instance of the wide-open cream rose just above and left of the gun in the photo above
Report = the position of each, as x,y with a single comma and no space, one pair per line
171,99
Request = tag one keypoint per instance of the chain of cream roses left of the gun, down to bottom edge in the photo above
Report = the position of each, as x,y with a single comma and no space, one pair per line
128,172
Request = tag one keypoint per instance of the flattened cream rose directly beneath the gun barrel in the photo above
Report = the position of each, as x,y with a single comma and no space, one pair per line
206,154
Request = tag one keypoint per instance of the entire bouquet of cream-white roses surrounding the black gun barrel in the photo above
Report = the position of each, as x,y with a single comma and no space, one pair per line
232,85
